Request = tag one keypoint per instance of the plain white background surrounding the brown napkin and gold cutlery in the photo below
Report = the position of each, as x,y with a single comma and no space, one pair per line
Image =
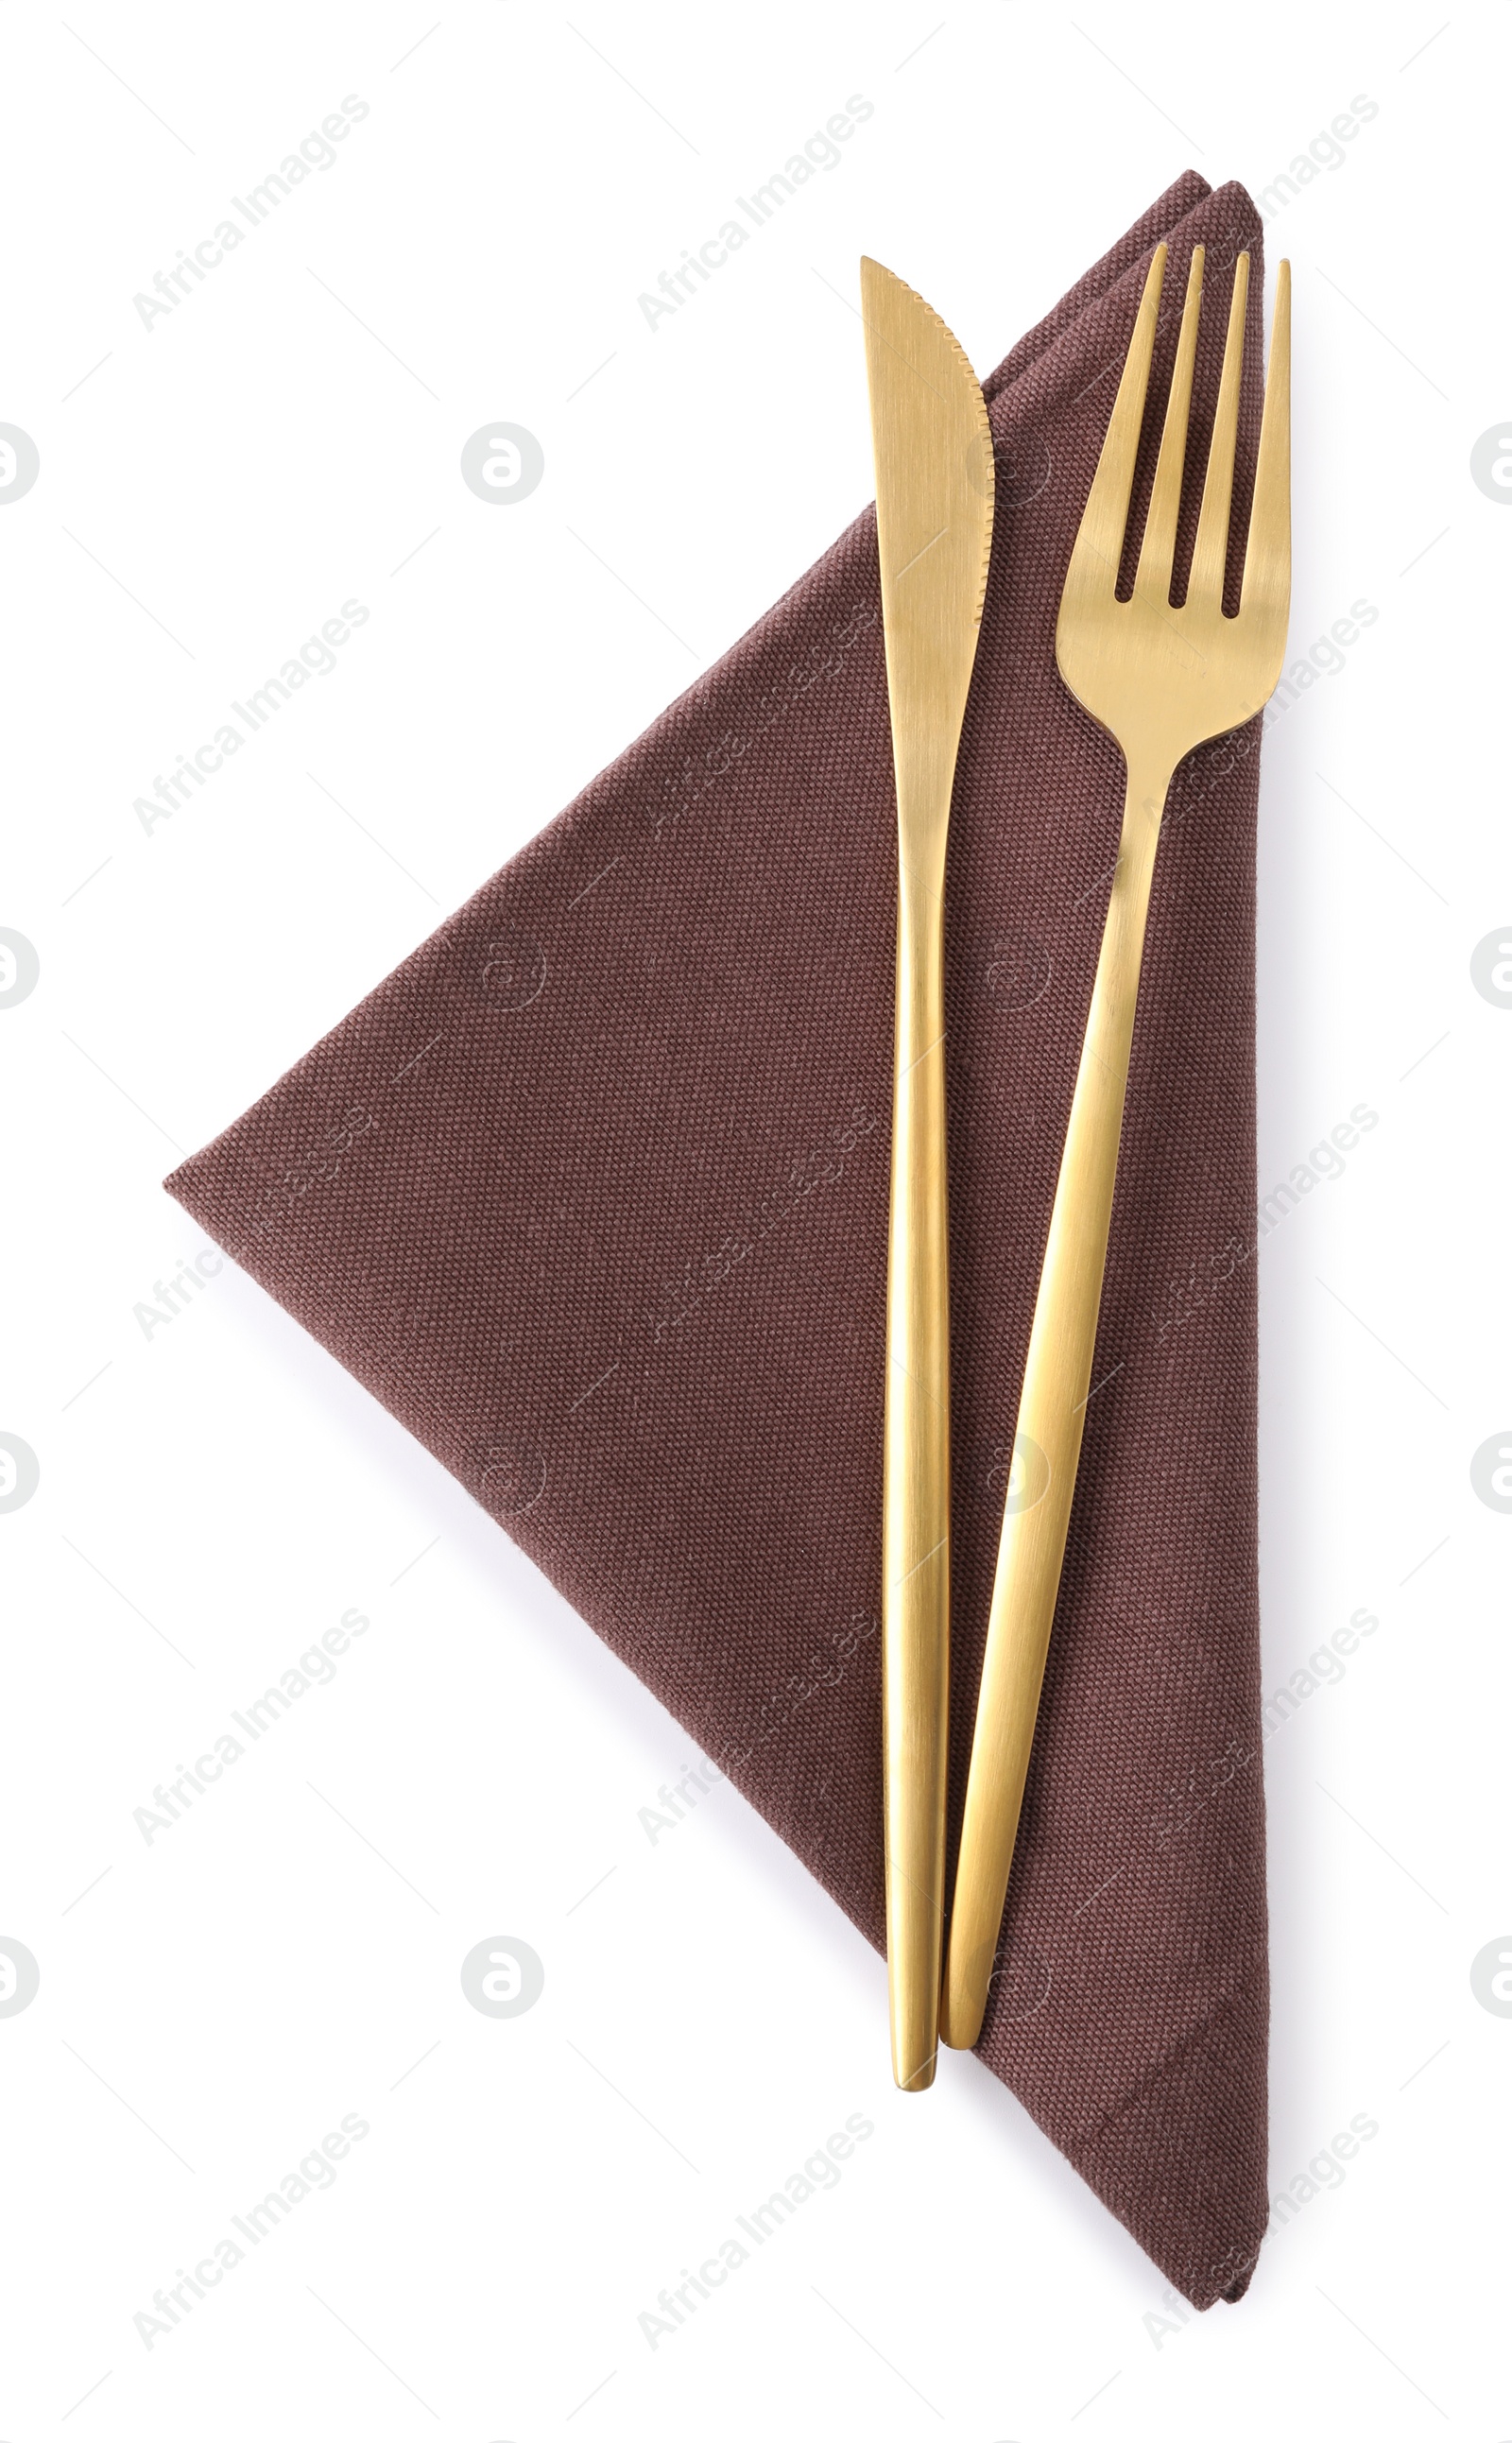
216,1494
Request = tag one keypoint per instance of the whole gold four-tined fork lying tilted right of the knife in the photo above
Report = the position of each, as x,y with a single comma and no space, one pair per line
1161,680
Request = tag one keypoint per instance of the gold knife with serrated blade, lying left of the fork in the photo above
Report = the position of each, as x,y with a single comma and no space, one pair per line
934,536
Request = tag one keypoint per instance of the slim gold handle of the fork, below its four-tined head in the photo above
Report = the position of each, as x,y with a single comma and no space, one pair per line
1049,1435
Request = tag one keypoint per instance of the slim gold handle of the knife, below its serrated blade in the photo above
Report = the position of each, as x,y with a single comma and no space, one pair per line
917,1491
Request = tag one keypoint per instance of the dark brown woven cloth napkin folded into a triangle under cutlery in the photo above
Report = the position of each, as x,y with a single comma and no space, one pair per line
592,1196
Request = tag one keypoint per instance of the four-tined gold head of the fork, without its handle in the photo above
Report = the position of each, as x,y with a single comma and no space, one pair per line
1157,675
